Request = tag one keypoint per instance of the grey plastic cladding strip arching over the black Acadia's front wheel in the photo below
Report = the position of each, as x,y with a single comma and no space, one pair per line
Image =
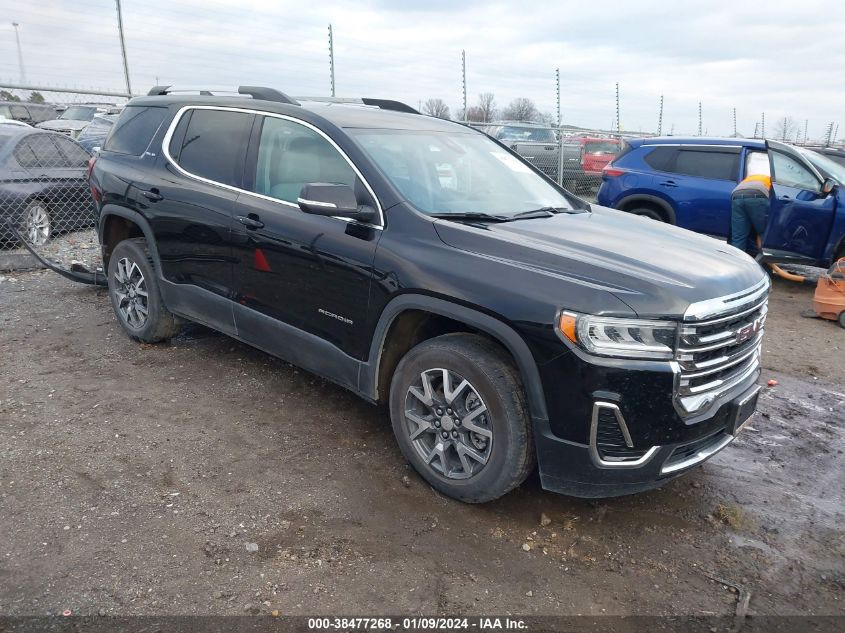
500,331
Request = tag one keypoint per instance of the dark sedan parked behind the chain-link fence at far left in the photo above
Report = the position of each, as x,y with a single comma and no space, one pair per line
43,187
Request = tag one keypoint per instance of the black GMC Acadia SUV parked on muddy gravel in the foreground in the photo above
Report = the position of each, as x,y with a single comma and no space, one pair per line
420,263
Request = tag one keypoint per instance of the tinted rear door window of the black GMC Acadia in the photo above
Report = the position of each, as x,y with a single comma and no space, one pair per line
214,145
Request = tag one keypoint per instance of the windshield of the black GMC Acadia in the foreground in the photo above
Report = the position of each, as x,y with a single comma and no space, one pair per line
439,172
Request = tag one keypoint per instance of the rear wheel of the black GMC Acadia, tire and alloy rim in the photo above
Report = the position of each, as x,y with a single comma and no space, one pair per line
130,275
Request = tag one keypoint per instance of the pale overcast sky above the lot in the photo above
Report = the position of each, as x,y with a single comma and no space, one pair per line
779,57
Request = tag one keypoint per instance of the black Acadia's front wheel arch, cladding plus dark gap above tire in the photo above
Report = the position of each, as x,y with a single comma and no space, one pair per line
409,311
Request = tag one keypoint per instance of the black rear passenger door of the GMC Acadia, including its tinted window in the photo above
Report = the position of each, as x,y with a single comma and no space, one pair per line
190,204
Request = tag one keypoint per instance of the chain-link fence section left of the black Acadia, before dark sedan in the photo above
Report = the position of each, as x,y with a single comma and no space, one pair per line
45,204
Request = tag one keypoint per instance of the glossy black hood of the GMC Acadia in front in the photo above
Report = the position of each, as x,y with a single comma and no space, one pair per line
655,268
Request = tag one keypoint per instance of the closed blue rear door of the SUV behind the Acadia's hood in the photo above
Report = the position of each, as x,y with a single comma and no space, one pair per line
700,179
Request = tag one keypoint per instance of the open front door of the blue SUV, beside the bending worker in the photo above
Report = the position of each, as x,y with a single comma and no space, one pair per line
800,217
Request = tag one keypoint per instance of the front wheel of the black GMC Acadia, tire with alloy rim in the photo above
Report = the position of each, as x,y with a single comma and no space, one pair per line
489,450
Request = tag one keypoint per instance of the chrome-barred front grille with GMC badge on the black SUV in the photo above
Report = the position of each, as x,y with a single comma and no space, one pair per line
722,350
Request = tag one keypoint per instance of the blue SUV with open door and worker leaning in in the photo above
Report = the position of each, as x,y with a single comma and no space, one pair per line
688,182
